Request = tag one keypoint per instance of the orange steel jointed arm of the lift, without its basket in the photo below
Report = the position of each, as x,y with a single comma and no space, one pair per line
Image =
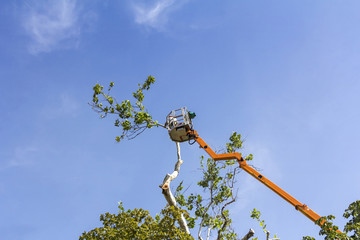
313,216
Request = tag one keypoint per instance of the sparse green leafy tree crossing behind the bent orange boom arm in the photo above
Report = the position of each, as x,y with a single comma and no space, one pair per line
218,191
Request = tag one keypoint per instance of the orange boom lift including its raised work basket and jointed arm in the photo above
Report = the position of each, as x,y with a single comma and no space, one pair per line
180,129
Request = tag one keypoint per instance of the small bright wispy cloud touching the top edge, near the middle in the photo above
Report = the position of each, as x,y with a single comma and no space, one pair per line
156,15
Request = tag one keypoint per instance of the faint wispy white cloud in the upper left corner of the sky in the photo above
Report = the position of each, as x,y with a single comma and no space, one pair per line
52,24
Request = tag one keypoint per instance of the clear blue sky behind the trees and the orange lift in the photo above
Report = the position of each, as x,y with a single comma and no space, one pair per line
285,74
